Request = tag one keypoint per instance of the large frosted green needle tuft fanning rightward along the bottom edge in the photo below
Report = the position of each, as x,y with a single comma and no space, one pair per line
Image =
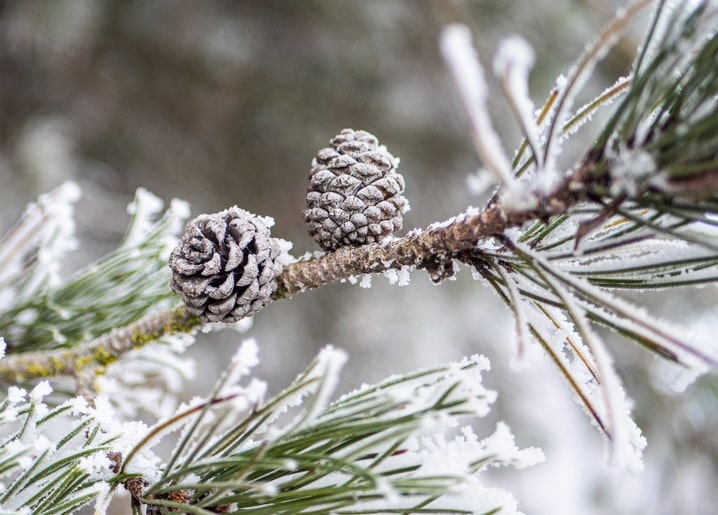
384,447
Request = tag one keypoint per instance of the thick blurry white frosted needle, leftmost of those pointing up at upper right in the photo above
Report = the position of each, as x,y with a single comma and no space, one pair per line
468,74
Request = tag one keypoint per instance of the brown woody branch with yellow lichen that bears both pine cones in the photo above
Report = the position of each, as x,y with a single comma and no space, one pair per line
432,249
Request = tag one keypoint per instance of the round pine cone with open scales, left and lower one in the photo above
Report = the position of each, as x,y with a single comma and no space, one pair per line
225,266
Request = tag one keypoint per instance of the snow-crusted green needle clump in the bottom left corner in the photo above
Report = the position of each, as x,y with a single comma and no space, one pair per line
38,465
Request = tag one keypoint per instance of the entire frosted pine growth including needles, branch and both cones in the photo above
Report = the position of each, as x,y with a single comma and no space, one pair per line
558,242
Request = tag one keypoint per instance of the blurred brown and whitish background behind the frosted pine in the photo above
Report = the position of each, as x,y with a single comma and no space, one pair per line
226,102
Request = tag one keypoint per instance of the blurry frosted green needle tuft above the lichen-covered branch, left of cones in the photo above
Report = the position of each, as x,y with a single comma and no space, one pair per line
107,294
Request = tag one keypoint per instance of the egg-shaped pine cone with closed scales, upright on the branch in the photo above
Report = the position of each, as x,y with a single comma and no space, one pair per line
355,194
